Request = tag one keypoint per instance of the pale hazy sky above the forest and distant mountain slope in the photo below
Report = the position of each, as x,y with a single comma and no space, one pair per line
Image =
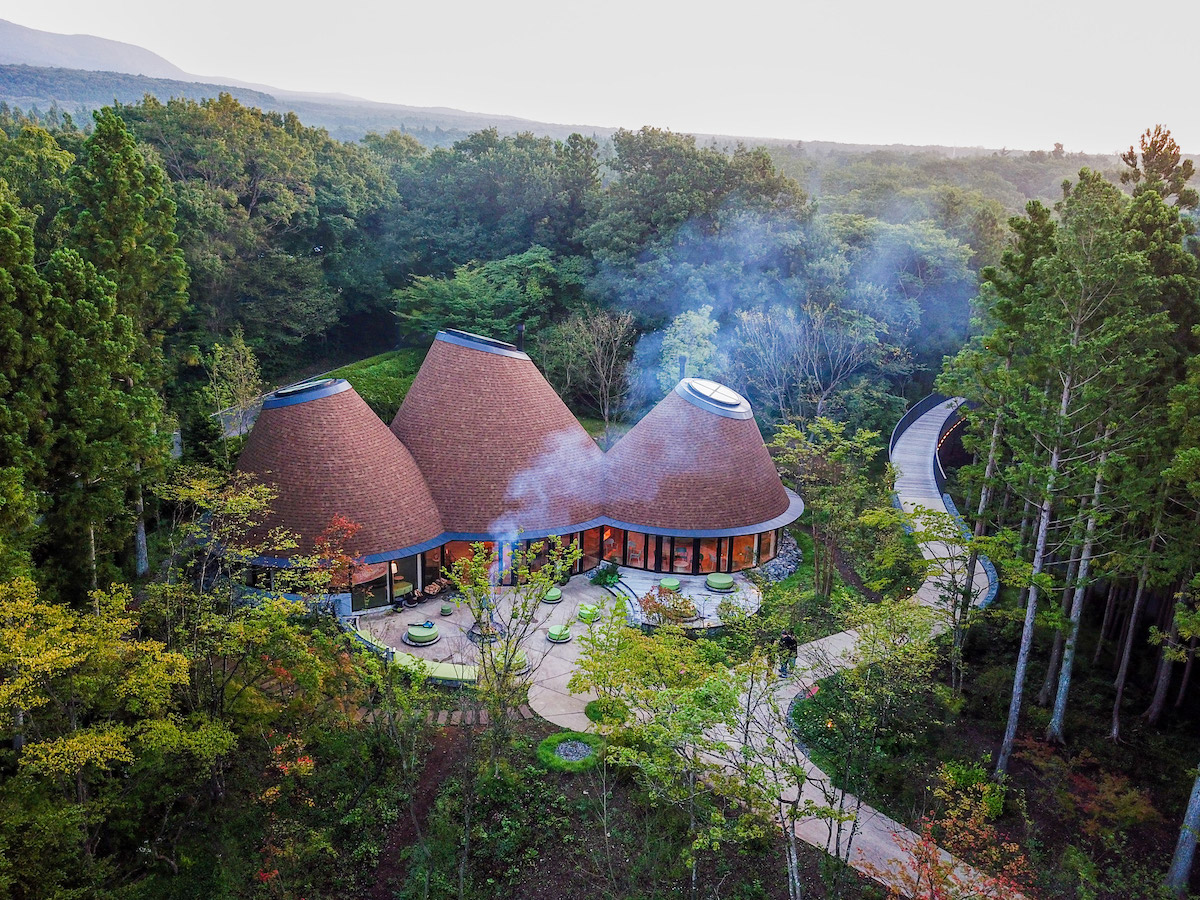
1021,74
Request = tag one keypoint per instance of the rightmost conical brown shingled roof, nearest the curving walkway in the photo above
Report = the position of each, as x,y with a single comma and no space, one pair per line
697,464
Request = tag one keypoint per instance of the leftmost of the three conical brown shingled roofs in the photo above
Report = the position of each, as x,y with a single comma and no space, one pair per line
328,454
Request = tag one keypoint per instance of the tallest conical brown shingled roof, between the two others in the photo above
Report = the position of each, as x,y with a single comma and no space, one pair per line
501,451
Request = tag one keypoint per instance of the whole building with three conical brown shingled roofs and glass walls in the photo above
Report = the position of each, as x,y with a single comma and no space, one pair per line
484,451
